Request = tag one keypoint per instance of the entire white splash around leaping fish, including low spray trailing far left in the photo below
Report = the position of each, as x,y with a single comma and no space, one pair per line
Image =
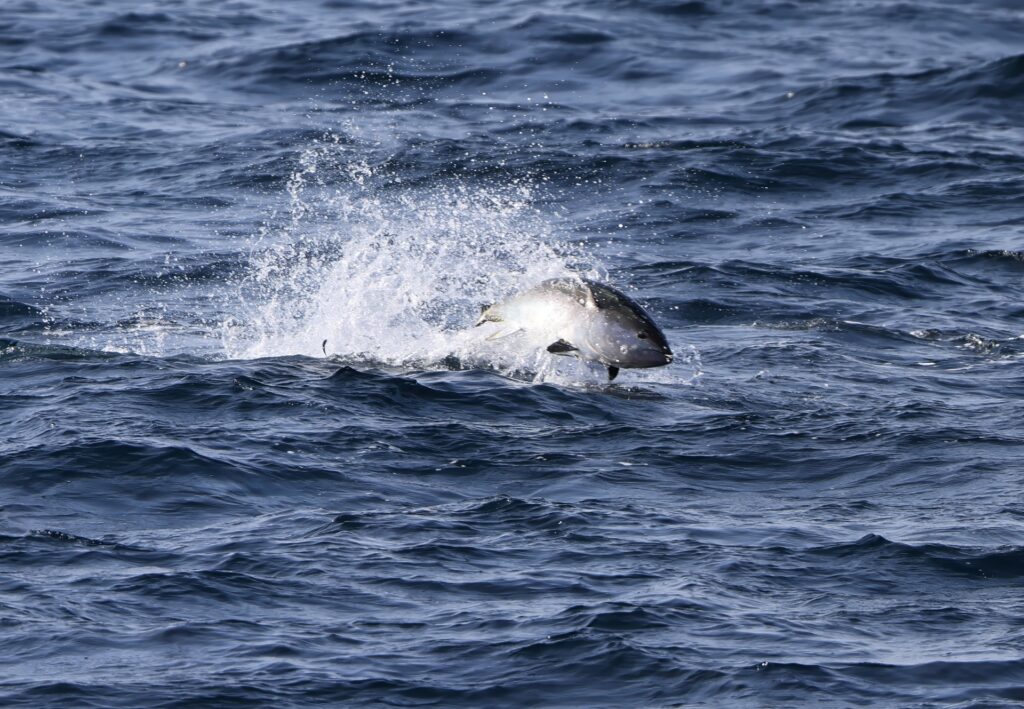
389,274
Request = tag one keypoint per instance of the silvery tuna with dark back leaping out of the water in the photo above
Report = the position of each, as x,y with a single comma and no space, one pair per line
584,319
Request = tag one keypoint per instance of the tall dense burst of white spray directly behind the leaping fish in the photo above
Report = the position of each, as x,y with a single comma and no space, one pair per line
392,274
